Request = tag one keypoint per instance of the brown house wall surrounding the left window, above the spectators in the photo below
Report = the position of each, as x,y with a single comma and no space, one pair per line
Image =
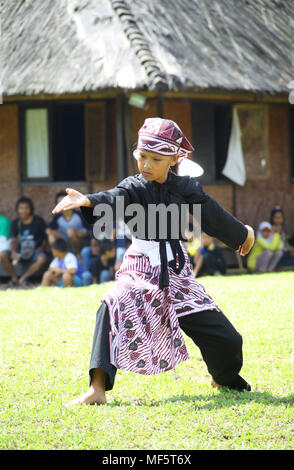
43,194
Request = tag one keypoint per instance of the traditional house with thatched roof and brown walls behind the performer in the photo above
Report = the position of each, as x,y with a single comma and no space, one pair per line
80,76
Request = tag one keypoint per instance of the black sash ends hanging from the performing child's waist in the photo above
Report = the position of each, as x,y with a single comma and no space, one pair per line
176,250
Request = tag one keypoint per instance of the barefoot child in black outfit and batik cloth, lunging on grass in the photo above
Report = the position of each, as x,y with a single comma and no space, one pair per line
155,295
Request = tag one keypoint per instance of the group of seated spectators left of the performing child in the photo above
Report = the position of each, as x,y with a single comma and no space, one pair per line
62,253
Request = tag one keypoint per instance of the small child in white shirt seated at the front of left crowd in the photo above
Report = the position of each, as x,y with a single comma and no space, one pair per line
65,269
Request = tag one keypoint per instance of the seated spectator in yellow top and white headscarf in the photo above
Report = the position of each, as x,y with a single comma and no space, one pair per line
266,251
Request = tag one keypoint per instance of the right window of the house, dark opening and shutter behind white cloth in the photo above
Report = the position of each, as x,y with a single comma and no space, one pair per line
212,125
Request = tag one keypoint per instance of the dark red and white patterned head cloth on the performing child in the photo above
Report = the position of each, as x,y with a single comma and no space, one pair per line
164,137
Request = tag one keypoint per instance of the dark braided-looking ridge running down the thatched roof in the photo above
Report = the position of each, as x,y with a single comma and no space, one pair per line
140,44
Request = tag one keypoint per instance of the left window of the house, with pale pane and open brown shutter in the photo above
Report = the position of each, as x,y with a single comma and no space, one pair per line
63,142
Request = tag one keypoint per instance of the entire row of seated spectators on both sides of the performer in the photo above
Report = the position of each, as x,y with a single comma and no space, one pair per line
64,252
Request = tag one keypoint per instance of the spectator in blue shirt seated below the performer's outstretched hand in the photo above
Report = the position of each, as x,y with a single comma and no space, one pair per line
68,225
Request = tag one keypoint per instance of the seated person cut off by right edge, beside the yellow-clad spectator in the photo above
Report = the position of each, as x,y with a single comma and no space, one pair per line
277,220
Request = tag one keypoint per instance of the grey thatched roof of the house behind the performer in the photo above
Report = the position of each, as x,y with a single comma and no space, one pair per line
75,46
